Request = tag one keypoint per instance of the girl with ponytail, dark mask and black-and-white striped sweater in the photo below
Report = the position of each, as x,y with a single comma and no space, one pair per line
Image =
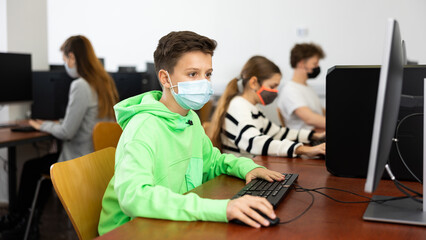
239,127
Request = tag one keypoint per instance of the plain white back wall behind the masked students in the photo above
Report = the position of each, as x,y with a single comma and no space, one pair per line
351,32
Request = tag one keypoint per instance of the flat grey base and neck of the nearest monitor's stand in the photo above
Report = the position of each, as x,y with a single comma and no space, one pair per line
405,211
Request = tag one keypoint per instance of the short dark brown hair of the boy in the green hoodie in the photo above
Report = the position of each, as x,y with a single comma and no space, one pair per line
172,46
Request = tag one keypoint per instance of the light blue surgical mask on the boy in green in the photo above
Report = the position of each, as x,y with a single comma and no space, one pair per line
192,94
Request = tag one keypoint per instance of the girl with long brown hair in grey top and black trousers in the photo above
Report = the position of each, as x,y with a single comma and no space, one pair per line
91,99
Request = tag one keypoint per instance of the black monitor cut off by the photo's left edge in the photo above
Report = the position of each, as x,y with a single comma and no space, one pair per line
15,77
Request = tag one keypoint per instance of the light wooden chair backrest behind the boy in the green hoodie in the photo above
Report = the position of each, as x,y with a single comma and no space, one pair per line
80,184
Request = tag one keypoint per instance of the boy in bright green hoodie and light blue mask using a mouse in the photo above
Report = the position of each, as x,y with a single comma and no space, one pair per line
164,151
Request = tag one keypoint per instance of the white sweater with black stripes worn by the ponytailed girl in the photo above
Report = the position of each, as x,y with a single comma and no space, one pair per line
246,132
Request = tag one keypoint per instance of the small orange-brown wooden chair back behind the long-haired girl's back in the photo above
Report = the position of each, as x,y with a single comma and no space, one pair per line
106,134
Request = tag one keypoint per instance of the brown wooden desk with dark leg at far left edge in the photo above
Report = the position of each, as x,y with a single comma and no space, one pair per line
10,140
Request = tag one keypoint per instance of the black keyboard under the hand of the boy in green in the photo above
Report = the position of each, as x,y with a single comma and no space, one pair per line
274,192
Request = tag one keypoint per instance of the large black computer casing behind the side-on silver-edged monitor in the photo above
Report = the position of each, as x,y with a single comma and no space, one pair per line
351,93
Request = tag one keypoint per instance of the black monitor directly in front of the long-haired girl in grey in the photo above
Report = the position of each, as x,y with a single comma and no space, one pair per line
50,91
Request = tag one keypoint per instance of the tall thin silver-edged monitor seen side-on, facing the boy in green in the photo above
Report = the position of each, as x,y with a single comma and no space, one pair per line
387,105
